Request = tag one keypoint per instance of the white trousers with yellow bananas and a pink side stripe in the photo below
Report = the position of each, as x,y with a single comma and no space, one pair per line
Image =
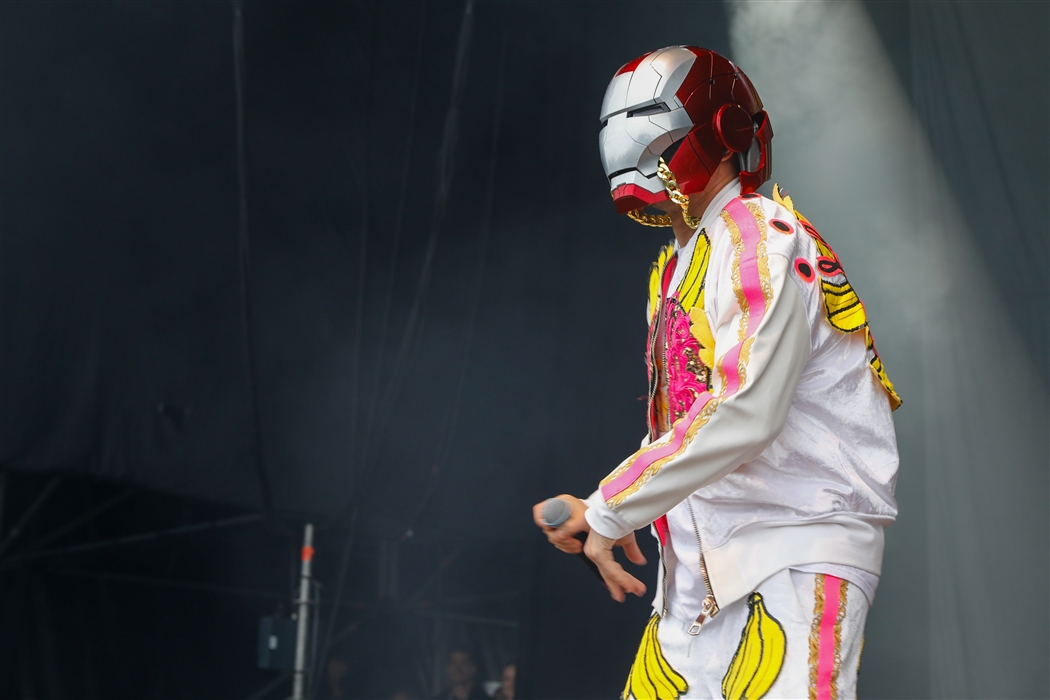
799,637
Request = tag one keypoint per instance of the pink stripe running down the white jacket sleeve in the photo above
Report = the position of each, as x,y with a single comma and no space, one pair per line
752,286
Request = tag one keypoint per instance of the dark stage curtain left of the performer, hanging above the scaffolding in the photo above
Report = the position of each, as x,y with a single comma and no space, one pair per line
124,340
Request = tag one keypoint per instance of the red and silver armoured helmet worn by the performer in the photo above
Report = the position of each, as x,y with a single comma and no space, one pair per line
688,107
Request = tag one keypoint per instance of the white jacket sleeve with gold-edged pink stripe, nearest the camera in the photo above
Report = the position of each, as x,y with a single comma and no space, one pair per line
762,346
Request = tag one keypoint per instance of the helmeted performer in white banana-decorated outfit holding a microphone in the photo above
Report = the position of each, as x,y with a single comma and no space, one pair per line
768,472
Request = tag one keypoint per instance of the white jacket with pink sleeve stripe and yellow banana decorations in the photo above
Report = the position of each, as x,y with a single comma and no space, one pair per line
771,443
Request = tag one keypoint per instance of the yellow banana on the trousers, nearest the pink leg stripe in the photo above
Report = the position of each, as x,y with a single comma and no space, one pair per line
759,659
